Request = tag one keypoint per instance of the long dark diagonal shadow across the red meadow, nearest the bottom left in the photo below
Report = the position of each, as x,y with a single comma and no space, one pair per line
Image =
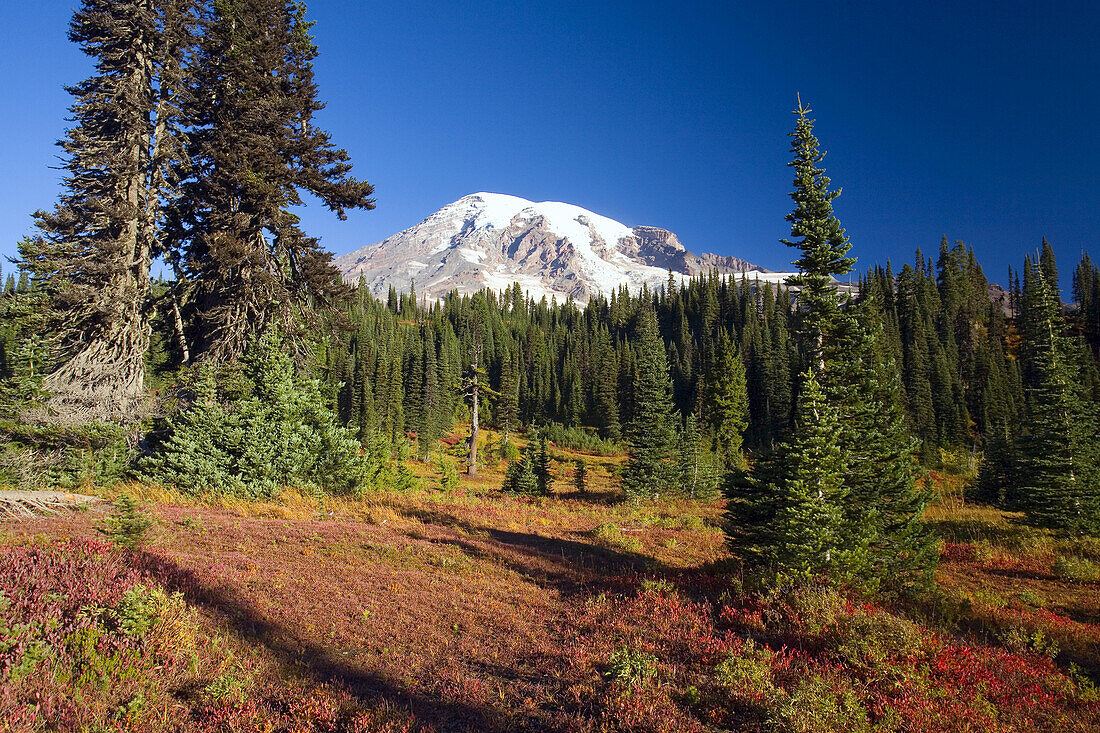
316,664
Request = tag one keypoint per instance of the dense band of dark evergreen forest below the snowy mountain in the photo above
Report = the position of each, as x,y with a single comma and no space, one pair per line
960,346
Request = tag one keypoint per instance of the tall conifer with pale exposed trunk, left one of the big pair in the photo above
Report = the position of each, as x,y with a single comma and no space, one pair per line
94,254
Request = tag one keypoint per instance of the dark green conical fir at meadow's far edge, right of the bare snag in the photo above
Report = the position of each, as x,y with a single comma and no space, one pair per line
651,469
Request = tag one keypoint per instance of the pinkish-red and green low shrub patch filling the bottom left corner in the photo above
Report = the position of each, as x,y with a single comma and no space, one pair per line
86,640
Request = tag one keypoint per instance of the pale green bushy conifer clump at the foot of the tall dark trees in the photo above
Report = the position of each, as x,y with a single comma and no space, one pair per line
256,428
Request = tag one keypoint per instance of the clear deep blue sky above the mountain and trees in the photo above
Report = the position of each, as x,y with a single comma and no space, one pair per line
977,121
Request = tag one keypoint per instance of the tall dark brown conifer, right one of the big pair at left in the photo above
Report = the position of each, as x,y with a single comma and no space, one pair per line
252,150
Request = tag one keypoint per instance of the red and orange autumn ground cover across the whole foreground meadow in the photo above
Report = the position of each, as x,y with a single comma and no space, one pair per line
459,612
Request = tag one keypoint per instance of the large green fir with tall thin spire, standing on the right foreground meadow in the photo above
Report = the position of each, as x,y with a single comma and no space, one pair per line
868,502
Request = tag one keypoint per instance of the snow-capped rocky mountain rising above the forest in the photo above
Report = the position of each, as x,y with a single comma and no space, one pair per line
494,240
